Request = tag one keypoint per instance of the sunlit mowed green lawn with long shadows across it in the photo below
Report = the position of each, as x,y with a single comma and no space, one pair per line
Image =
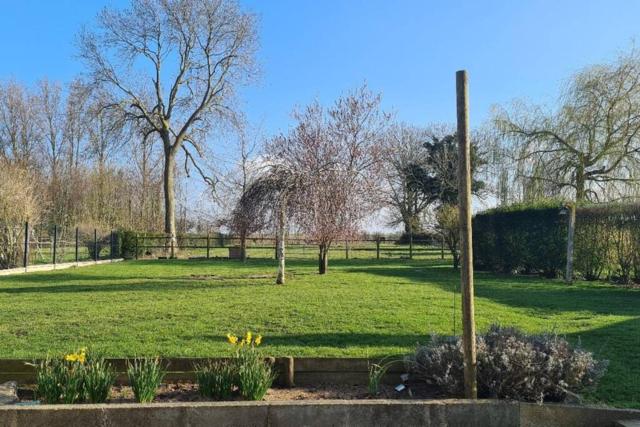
365,308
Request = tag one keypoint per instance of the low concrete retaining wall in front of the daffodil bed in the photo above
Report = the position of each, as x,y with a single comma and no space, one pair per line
450,413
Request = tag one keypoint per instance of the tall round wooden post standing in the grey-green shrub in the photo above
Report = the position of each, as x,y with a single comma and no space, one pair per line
466,238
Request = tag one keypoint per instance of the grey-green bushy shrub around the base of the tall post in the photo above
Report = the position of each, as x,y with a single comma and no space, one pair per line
511,365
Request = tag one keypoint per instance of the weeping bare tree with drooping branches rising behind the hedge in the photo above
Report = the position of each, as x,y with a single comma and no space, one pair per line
590,144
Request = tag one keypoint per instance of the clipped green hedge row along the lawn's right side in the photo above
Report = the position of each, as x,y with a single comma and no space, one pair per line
533,239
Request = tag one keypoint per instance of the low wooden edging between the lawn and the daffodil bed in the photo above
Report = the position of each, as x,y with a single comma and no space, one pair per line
298,371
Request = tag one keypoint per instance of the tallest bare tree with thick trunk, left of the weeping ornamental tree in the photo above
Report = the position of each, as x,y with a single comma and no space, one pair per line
172,65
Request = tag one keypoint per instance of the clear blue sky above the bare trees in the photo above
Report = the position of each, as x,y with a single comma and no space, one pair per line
408,50
